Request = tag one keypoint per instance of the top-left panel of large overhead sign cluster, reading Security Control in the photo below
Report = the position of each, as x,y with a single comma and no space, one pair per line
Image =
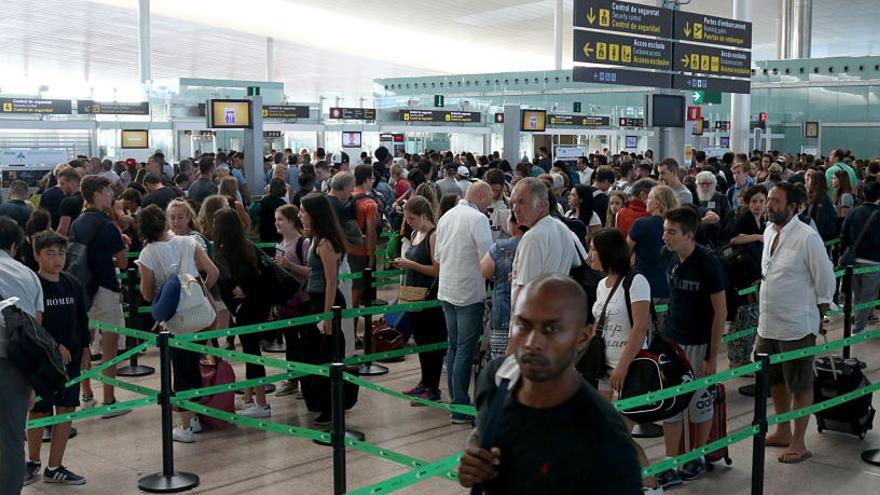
623,17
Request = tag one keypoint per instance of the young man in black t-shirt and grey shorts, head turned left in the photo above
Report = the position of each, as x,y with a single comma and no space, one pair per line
695,321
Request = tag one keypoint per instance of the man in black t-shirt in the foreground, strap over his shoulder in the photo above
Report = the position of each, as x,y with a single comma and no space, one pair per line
555,433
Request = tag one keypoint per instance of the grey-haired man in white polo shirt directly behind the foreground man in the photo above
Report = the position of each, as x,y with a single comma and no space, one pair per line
548,246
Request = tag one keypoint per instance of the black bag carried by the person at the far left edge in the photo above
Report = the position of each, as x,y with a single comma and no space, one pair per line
34,352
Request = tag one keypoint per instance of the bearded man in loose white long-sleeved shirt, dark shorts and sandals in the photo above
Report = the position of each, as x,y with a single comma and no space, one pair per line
797,289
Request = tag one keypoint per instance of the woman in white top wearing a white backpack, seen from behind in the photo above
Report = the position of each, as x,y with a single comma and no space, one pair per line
158,261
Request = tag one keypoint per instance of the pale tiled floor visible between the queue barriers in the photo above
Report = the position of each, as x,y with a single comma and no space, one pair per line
114,453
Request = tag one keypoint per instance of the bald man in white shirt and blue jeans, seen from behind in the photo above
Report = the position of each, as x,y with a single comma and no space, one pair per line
463,238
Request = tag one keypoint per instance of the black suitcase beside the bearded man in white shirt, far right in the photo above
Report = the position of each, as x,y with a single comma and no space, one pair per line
835,376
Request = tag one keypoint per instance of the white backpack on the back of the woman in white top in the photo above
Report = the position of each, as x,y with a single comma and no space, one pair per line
195,309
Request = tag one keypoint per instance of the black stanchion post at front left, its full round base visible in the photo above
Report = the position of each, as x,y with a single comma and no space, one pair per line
169,480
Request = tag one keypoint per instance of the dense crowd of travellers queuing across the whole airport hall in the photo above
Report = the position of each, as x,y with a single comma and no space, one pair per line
633,232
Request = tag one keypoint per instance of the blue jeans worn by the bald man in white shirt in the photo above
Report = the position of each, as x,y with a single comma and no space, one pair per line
464,325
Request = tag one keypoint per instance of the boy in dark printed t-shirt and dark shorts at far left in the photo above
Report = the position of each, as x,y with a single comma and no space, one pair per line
65,318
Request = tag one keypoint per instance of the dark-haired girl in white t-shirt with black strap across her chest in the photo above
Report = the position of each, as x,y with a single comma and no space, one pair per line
623,340
